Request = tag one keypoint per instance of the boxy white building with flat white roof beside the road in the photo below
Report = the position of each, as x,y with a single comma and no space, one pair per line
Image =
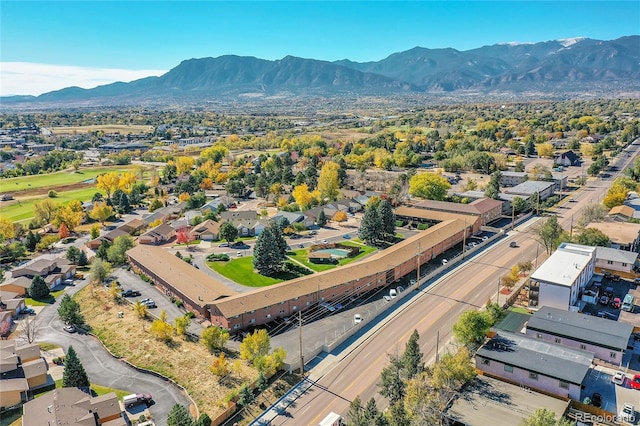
560,279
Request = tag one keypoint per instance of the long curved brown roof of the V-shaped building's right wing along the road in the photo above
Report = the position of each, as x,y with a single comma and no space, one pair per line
379,262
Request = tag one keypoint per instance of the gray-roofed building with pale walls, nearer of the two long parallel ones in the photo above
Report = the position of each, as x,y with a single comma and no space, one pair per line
529,362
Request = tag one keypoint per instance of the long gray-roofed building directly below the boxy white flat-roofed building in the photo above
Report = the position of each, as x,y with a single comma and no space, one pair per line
606,339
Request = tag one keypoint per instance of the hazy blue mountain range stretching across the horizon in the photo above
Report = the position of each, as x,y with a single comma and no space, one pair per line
568,66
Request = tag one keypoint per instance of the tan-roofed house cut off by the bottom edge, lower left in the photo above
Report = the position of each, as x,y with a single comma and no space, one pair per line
73,407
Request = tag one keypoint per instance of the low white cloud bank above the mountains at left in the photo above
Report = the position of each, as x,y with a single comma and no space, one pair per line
26,78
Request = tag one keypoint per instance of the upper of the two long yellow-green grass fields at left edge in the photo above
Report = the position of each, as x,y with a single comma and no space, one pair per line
57,178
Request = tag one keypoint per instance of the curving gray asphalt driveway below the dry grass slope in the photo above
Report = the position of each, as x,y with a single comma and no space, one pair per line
105,370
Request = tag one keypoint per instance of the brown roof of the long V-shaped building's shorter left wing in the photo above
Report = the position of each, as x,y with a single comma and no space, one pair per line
193,283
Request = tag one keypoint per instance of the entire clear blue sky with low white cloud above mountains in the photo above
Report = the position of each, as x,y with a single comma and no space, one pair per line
52,44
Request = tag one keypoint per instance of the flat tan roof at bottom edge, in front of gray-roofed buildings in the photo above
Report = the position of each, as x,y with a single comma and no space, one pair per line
488,401
